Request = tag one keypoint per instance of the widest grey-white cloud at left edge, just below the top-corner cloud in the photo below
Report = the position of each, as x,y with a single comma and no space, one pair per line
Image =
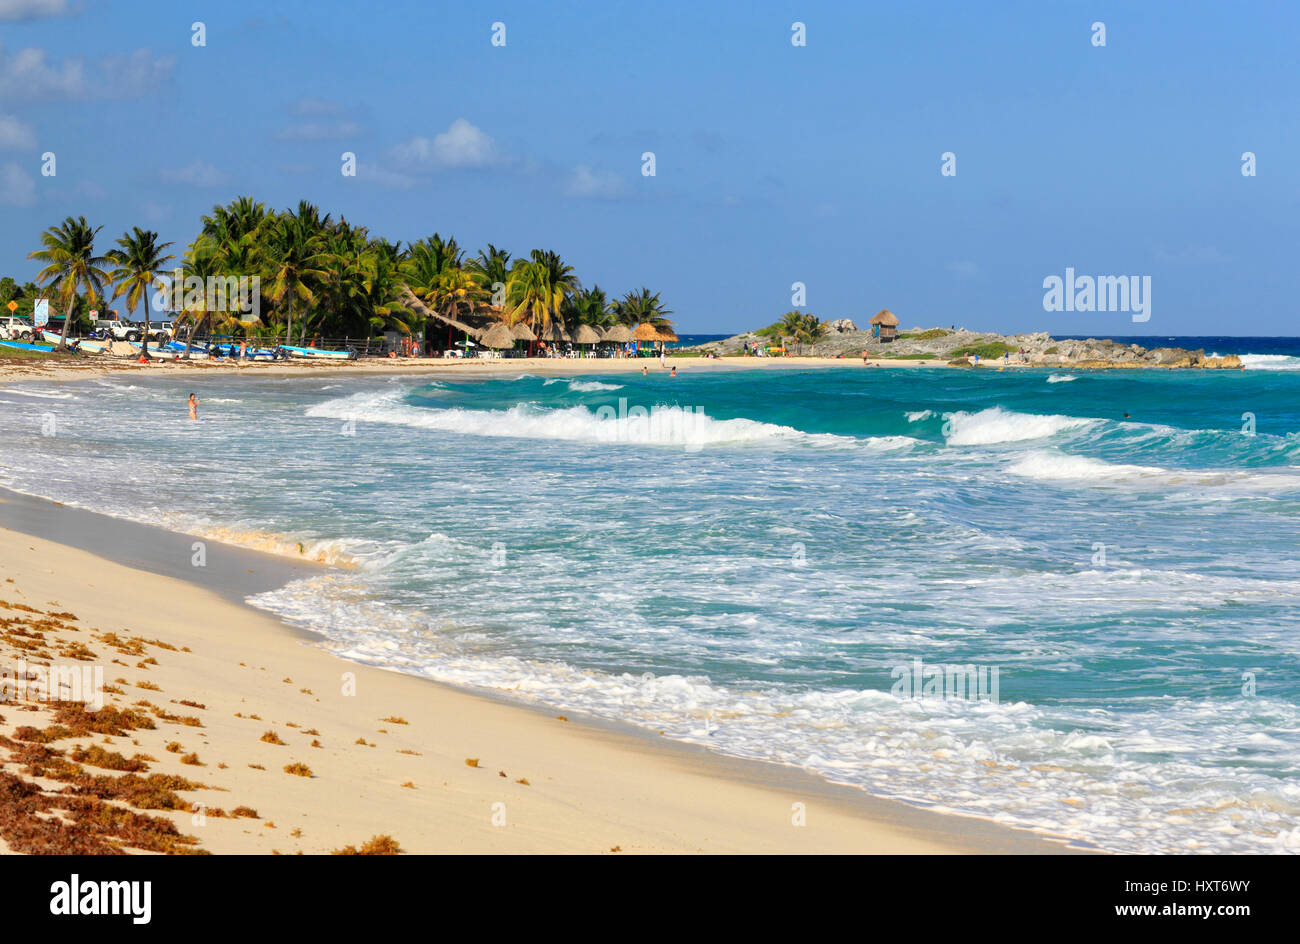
29,76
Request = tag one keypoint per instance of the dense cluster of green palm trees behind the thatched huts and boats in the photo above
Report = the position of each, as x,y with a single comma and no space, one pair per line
326,278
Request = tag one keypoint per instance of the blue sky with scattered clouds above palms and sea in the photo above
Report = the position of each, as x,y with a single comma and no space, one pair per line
775,164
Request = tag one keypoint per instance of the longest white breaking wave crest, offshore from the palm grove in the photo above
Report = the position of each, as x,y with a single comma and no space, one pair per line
619,423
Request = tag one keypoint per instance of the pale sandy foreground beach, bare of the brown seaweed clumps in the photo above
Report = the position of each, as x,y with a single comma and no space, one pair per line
593,785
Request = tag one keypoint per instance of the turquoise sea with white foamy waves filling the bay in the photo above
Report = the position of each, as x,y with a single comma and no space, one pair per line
751,565
